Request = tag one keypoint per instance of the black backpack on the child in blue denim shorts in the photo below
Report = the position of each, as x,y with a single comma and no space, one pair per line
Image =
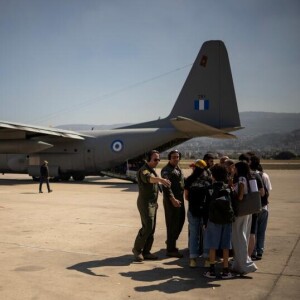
220,207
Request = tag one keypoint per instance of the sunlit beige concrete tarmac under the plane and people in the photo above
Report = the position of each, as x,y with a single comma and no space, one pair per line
75,243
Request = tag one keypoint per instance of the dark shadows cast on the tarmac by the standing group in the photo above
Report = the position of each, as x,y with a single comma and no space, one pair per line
168,280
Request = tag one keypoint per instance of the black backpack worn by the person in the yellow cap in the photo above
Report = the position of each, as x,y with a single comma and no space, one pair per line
198,197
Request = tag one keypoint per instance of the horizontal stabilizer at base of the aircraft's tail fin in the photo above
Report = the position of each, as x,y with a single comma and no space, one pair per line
196,129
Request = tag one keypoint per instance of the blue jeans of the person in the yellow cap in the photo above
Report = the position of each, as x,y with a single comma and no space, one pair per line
195,235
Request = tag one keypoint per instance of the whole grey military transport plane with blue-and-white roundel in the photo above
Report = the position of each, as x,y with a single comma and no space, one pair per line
206,106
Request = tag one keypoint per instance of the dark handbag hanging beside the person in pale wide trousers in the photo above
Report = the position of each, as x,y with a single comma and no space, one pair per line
250,204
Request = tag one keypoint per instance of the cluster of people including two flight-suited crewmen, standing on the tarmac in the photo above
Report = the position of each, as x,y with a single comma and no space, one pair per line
214,228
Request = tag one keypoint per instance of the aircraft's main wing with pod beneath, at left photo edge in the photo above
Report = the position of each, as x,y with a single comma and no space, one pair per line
21,138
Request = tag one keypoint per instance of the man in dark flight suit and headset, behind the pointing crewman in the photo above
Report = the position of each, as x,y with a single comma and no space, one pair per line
173,202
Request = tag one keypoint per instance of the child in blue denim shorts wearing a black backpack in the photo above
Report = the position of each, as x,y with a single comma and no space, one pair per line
220,218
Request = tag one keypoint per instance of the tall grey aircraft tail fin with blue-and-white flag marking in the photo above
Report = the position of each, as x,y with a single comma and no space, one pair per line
208,94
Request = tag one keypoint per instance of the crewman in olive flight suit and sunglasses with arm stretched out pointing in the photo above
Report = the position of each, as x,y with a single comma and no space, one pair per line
148,183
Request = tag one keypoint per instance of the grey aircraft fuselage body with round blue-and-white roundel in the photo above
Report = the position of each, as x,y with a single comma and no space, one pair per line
105,150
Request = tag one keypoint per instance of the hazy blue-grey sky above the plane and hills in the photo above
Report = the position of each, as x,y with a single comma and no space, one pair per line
114,61
